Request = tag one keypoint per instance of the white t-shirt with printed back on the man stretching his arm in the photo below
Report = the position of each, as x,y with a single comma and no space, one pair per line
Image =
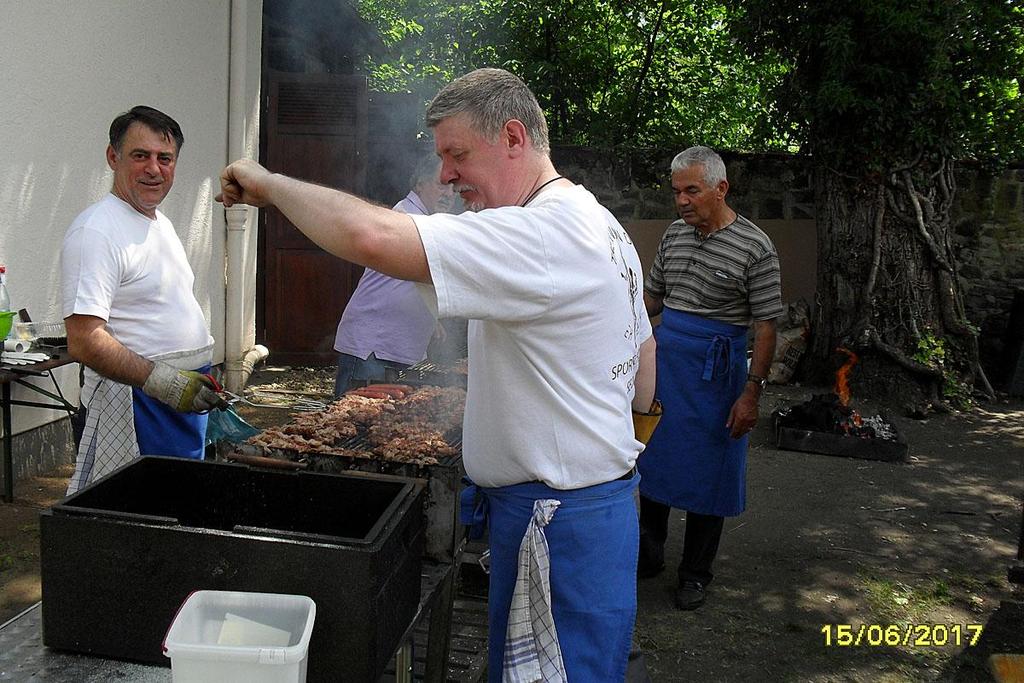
554,296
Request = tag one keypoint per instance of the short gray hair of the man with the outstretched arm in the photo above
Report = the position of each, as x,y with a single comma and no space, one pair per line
492,98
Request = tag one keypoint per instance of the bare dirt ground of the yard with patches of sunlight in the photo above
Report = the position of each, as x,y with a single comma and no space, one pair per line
826,543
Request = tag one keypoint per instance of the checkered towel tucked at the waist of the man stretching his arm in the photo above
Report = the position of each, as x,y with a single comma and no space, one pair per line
532,651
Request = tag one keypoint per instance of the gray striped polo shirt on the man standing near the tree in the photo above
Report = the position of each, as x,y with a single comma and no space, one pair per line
732,276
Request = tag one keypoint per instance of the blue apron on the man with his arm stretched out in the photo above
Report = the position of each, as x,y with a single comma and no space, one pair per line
593,539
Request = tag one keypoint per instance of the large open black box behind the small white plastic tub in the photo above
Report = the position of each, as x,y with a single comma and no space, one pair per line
119,558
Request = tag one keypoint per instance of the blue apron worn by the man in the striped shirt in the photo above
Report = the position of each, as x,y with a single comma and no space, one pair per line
692,463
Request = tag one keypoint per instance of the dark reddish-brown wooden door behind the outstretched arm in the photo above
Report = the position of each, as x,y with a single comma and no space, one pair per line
316,130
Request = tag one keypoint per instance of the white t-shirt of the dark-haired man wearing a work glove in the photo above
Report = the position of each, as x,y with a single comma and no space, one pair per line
132,271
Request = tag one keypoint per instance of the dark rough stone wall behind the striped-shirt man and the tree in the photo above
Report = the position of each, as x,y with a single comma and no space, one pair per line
989,219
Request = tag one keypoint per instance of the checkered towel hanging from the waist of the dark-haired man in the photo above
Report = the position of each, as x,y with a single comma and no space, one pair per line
109,439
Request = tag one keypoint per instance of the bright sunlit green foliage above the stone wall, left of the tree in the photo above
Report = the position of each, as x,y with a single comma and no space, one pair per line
659,73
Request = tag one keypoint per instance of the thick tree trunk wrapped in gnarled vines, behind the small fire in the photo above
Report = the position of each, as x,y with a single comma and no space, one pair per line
887,279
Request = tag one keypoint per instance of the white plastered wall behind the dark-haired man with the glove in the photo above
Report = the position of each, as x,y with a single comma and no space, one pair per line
67,69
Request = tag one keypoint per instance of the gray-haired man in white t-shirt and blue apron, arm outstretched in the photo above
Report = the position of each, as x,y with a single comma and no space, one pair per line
560,351
